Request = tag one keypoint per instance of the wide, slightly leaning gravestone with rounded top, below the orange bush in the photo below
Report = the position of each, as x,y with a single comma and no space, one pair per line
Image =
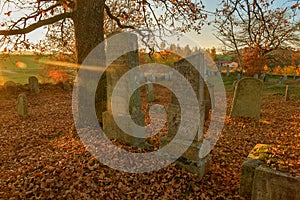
247,98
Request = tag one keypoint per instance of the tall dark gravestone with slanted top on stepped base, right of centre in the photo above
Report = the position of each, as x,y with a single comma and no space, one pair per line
190,159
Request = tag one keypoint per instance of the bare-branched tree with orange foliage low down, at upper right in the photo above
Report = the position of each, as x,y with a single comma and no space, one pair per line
257,25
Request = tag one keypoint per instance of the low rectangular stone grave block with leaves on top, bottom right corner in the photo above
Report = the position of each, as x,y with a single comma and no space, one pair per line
258,182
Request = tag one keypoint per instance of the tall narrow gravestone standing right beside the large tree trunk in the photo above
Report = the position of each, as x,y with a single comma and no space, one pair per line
116,70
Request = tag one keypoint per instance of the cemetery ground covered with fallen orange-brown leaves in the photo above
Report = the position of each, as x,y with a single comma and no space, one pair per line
43,157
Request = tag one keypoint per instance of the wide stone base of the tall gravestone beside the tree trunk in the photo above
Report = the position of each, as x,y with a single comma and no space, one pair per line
112,130
